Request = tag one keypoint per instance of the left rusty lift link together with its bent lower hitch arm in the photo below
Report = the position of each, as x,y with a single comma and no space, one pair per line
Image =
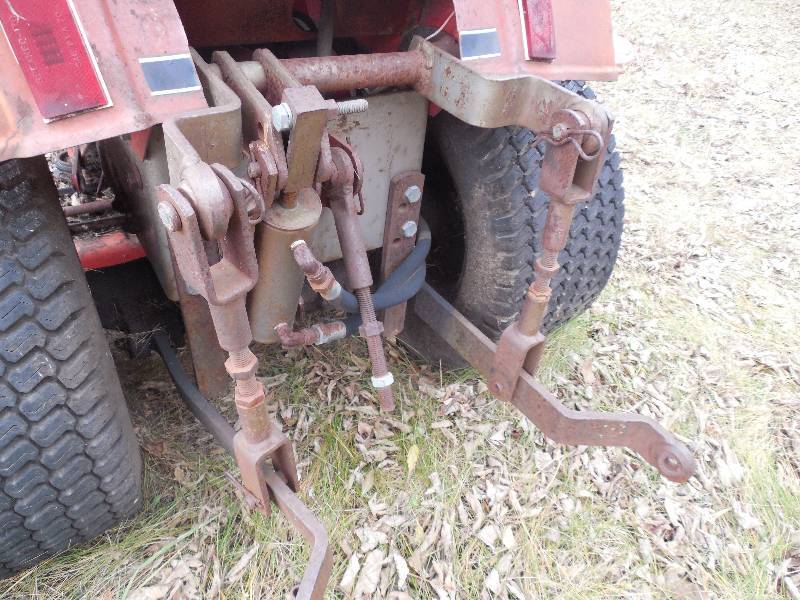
224,211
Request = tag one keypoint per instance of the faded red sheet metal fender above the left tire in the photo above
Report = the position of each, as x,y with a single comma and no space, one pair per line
119,34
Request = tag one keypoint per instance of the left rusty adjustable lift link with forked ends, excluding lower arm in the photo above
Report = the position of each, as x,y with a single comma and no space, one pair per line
224,285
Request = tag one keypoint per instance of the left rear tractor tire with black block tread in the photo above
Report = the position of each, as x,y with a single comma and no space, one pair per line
69,462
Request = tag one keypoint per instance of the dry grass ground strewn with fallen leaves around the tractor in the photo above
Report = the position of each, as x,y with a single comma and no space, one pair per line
458,497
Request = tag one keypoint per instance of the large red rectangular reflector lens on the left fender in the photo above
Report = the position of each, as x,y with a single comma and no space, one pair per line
51,51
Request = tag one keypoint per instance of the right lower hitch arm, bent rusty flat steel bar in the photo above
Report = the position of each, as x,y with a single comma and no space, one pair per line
642,435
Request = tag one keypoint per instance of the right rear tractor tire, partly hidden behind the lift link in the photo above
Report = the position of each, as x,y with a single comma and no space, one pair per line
487,211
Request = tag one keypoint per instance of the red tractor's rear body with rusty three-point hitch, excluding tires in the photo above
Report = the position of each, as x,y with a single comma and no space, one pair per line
264,159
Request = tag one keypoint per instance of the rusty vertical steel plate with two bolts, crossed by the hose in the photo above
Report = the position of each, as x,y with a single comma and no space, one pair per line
399,235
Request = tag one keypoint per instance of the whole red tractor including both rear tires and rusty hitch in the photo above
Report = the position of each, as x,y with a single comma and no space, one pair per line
434,170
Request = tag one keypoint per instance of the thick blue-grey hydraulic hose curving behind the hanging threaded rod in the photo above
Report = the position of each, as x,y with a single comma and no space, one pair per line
403,283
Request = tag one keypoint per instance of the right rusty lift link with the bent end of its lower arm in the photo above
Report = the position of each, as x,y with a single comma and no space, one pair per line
568,175
